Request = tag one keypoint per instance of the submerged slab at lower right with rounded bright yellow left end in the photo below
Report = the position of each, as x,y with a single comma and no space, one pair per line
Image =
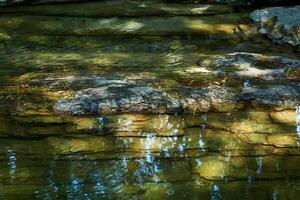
236,168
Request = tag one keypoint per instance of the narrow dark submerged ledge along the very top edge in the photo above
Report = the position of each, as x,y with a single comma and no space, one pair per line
119,8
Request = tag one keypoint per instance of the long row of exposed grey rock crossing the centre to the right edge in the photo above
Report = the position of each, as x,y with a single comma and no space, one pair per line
138,96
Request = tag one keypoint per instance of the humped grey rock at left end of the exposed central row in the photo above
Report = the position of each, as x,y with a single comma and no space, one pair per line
118,98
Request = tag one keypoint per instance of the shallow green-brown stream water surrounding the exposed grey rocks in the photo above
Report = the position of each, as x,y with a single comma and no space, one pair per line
247,153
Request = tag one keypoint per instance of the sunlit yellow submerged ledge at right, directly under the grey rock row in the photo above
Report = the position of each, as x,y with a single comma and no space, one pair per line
244,123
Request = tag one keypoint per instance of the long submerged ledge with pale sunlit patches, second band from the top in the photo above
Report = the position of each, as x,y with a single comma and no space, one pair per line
217,26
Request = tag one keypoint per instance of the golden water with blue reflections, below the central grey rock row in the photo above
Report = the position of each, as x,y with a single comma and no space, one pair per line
211,155
